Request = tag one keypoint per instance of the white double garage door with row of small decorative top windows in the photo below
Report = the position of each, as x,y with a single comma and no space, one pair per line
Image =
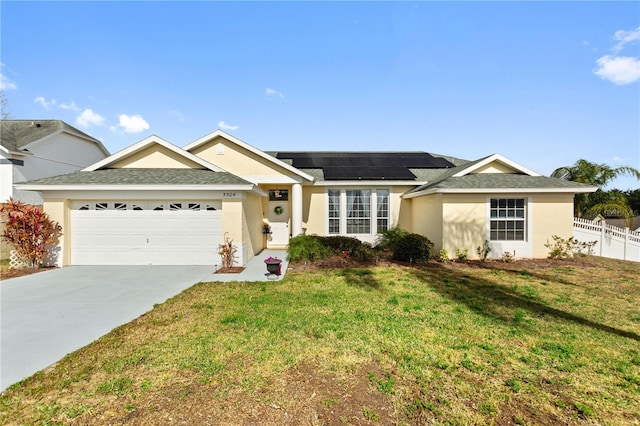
146,233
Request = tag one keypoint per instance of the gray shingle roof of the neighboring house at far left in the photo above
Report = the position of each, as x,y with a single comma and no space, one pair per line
17,135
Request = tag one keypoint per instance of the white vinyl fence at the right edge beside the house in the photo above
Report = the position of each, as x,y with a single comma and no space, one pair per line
611,241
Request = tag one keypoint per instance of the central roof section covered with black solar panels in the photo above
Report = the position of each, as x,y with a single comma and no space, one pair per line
348,165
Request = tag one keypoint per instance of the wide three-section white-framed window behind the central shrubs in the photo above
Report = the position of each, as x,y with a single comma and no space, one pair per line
358,211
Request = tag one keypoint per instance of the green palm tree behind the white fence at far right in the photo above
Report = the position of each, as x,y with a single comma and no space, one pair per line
608,204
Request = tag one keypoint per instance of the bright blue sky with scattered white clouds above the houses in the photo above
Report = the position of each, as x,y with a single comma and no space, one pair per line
542,83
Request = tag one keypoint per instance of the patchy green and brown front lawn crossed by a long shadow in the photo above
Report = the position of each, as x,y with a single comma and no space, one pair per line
521,343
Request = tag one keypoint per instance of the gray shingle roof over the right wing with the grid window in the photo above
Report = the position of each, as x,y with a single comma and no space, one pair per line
500,181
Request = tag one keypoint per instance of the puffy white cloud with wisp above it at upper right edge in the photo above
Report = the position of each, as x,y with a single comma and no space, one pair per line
620,69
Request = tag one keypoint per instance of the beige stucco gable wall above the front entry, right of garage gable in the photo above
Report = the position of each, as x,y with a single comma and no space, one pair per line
236,159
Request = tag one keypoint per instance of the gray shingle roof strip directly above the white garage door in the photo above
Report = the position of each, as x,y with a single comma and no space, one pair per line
143,177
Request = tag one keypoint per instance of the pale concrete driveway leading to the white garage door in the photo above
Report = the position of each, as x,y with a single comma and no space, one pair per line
50,314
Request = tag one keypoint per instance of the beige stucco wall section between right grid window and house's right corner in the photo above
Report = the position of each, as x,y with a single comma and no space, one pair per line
552,214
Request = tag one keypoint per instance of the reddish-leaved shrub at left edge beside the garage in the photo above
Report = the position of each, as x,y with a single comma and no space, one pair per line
29,230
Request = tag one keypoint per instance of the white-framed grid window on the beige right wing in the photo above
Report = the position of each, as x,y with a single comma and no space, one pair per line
508,219
